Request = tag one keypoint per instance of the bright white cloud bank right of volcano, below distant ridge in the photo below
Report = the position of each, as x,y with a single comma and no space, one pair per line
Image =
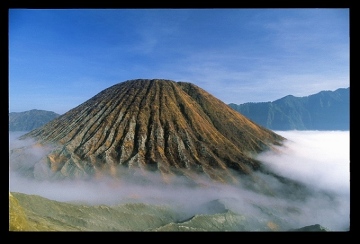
320,159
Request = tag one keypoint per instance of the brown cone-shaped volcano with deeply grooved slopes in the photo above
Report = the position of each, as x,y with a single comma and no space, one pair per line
154,125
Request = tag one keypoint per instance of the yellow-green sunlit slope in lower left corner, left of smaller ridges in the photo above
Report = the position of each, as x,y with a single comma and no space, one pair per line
46,215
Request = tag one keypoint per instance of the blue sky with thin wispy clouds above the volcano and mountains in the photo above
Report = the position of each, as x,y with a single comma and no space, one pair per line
60,58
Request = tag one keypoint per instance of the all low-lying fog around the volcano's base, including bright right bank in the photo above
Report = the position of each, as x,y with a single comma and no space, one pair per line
319,159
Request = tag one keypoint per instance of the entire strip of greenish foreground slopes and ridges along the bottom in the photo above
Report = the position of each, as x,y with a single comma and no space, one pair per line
35,213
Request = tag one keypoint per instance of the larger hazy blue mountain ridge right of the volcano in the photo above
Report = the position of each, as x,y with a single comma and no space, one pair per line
326,110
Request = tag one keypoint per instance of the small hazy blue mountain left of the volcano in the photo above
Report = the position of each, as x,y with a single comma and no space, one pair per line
29,120
